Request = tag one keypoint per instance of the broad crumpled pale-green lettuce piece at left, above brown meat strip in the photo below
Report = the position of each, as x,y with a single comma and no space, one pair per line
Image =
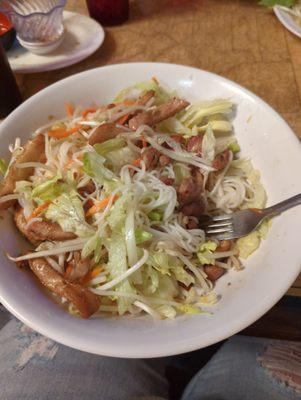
68,212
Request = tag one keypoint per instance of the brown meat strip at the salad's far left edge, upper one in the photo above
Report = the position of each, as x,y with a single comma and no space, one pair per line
34,150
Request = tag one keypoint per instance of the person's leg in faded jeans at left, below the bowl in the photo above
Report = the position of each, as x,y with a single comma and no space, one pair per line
33,367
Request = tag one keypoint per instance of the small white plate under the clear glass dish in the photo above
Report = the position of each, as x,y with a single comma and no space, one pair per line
83,36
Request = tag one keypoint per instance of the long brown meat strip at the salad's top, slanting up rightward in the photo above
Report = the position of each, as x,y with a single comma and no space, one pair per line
158,114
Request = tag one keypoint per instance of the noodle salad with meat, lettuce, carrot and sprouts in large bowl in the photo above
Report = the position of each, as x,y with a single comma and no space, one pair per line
110,198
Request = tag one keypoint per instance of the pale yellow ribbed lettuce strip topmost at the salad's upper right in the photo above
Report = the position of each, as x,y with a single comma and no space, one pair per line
196,113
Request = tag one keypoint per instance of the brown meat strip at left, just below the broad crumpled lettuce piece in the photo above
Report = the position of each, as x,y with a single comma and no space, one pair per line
39,231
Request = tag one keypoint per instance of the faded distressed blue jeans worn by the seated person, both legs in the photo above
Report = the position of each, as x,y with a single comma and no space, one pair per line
33,367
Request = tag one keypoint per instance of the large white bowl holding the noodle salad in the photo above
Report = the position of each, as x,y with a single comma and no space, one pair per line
264,137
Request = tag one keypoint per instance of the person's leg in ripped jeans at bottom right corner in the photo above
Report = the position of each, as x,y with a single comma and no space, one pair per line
248,368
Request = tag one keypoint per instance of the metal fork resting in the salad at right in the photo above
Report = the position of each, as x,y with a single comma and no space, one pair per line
241,223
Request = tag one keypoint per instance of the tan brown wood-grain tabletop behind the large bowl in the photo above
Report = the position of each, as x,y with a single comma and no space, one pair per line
234,38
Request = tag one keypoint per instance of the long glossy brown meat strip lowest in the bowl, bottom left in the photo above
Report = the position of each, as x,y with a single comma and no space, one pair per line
85,302
